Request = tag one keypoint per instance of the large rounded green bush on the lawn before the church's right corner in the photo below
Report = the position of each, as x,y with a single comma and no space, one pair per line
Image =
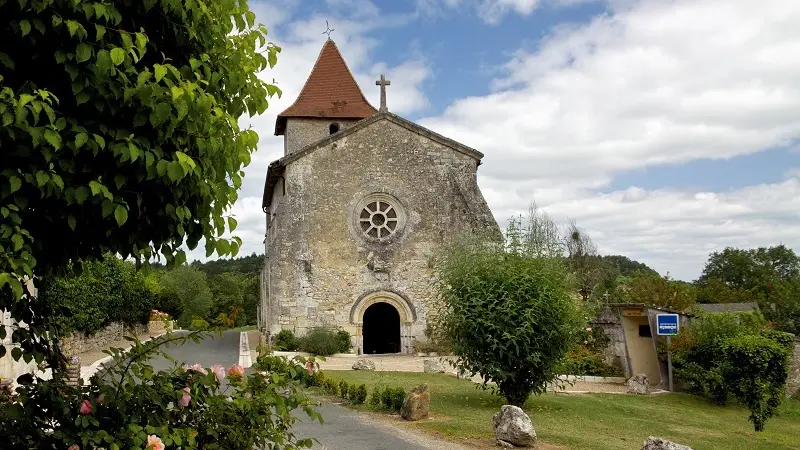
507,316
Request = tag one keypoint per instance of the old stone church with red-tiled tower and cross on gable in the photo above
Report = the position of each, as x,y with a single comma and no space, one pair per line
355,208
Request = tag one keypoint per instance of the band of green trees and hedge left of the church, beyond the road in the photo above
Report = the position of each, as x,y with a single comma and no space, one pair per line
91,295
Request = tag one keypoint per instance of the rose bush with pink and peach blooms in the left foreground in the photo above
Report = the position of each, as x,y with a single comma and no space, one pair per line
130,405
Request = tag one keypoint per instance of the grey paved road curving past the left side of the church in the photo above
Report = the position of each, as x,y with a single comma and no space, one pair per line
343,428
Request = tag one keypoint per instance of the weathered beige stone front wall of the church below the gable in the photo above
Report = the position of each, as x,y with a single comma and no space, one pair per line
320,266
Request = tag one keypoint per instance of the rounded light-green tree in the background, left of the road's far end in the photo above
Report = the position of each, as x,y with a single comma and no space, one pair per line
189,286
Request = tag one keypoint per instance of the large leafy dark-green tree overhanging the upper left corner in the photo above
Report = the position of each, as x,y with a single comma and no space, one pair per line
120,134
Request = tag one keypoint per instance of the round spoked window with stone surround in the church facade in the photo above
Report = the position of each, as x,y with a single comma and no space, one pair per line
379,217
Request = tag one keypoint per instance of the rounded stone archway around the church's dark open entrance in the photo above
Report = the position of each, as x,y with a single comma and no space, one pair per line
383,322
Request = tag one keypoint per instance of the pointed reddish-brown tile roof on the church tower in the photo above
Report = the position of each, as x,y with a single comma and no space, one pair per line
330,92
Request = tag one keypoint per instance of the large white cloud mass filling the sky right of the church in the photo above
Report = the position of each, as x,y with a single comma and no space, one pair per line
652,83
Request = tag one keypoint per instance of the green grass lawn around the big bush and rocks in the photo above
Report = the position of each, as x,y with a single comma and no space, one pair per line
595,421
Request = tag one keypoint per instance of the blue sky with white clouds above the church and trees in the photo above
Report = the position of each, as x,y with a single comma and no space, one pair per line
667,129
